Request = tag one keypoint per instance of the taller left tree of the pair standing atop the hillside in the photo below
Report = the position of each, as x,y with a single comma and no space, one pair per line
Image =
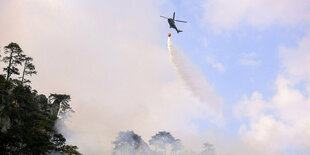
13,59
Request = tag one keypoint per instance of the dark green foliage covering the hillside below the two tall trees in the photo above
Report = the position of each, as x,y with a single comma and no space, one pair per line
31,124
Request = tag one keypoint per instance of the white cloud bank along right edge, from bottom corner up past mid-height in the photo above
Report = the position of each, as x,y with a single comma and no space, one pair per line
283,120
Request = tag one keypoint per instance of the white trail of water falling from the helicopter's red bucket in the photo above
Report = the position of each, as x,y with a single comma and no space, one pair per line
193,78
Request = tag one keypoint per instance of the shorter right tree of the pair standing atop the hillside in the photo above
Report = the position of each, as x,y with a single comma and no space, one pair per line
29,68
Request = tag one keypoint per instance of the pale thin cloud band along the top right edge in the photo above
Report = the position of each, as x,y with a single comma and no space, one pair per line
231,14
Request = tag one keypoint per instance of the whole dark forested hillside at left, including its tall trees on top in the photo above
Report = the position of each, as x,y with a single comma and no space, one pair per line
27,118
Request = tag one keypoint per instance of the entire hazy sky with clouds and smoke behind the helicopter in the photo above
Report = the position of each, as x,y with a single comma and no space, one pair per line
112,58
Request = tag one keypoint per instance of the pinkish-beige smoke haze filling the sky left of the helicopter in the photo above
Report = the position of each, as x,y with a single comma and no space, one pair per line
115,68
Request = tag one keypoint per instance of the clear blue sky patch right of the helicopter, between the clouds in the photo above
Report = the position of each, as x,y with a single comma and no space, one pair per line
229,48
